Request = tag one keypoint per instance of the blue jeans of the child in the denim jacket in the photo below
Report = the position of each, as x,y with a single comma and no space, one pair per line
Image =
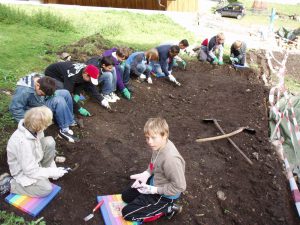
62,107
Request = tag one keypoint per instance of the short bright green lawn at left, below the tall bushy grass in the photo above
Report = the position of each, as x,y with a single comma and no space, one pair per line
24,50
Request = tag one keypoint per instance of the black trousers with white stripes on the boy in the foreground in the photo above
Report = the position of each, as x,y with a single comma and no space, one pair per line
142,207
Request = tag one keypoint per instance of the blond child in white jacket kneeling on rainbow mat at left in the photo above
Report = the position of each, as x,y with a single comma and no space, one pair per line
30,157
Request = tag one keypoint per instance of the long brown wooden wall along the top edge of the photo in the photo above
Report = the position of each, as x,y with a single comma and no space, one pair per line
170,5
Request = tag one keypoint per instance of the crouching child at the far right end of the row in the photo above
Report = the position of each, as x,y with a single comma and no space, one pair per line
238,53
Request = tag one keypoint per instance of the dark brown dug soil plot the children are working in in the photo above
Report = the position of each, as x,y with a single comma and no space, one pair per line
112,148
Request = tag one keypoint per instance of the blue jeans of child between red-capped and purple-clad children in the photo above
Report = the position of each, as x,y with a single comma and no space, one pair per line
108,79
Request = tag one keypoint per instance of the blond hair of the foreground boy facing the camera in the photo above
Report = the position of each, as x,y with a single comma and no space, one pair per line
157,126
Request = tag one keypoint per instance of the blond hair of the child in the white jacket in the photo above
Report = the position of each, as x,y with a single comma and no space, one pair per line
38,118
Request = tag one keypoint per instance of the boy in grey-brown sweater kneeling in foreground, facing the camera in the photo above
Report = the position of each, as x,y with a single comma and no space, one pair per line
155,191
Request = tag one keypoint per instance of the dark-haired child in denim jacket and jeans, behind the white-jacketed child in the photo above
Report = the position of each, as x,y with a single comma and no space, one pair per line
36,90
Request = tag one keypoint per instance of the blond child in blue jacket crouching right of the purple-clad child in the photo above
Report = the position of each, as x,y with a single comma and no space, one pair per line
140,64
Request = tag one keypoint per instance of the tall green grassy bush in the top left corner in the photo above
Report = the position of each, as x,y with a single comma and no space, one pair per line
44,19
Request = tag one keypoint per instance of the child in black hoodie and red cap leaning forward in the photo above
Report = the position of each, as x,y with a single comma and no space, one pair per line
76,77
